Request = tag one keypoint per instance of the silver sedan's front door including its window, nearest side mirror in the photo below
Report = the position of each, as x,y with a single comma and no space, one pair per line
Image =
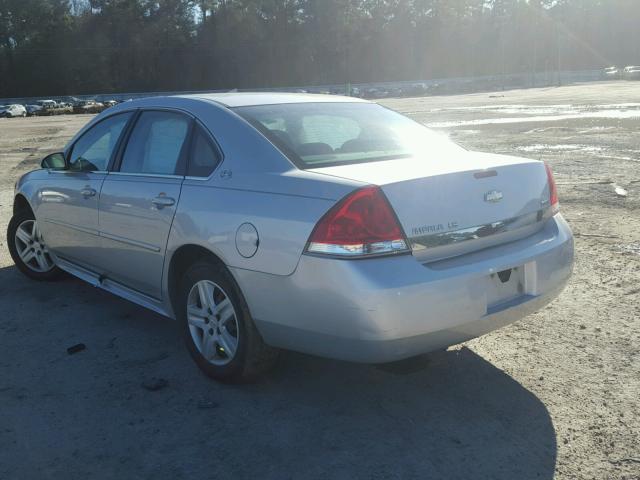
68,210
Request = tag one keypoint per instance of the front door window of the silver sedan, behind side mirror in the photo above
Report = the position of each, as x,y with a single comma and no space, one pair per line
92,152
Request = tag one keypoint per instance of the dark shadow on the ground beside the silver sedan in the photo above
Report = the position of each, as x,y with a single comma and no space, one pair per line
89,415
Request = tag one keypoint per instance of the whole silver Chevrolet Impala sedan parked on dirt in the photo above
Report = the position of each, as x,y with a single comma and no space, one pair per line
327,225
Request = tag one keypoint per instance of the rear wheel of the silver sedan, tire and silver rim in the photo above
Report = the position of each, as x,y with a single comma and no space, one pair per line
218,329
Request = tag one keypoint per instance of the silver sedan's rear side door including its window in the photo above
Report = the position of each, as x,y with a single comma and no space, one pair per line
139,200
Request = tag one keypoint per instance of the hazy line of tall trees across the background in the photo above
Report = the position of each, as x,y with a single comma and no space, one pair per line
63,47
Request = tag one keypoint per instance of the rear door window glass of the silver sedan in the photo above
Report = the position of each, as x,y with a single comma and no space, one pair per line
157,144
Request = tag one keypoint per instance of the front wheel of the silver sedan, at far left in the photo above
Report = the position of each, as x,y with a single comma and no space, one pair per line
28,249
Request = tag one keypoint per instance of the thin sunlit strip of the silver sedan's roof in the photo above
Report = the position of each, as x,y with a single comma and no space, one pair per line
246,99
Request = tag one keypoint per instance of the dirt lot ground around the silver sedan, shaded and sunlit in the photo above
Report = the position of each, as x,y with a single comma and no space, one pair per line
553,396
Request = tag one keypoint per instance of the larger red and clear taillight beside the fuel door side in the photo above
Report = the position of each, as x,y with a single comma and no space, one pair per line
363,223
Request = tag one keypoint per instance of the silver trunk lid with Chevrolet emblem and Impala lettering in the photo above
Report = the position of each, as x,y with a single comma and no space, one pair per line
467,203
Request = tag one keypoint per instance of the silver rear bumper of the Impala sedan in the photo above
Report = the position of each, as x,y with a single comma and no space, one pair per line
387,309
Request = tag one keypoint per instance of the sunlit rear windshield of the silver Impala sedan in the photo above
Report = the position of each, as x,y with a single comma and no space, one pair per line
316,135
